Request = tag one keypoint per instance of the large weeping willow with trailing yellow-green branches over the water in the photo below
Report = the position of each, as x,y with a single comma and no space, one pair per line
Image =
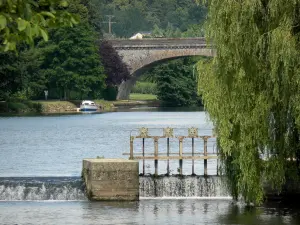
251,90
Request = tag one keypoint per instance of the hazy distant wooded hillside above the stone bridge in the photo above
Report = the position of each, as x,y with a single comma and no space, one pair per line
168,18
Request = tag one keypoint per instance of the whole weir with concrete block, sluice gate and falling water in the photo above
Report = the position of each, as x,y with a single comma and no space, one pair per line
118,179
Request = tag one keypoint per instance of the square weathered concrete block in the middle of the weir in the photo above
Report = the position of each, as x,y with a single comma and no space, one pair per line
111,179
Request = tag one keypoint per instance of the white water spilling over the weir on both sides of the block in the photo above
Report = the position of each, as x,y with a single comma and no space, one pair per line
72,188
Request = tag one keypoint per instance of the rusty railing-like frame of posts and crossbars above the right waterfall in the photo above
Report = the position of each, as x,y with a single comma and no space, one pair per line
168,134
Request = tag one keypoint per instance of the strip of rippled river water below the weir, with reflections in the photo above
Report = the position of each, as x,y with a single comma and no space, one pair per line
144,212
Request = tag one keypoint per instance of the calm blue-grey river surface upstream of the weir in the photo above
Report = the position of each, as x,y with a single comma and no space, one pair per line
56,145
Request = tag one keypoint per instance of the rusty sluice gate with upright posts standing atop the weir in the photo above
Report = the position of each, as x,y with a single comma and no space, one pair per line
186,149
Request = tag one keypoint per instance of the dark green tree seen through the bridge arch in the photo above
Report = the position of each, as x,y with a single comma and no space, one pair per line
175,83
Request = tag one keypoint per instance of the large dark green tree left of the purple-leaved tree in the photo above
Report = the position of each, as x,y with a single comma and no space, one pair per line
71,59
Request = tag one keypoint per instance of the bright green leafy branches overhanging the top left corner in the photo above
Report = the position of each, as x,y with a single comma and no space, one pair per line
24,20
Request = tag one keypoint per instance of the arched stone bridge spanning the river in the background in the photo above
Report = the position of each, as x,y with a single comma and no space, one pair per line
142,54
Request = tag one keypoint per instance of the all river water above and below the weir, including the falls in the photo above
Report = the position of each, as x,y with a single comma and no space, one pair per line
41,160
